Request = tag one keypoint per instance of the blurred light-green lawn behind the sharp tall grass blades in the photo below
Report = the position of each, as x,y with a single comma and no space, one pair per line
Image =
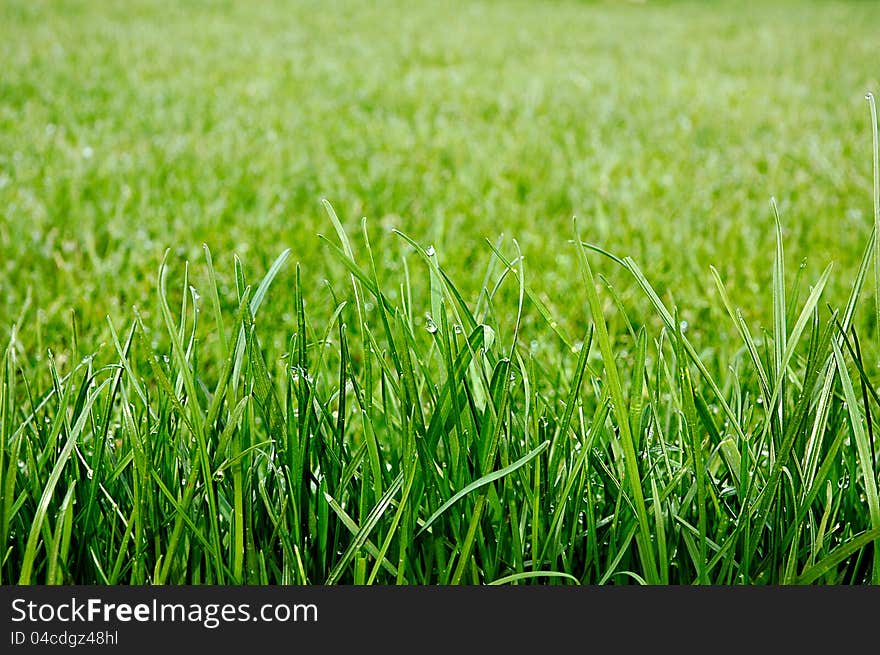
130,127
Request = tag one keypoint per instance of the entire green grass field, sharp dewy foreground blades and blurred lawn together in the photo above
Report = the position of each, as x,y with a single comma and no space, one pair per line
468,386
